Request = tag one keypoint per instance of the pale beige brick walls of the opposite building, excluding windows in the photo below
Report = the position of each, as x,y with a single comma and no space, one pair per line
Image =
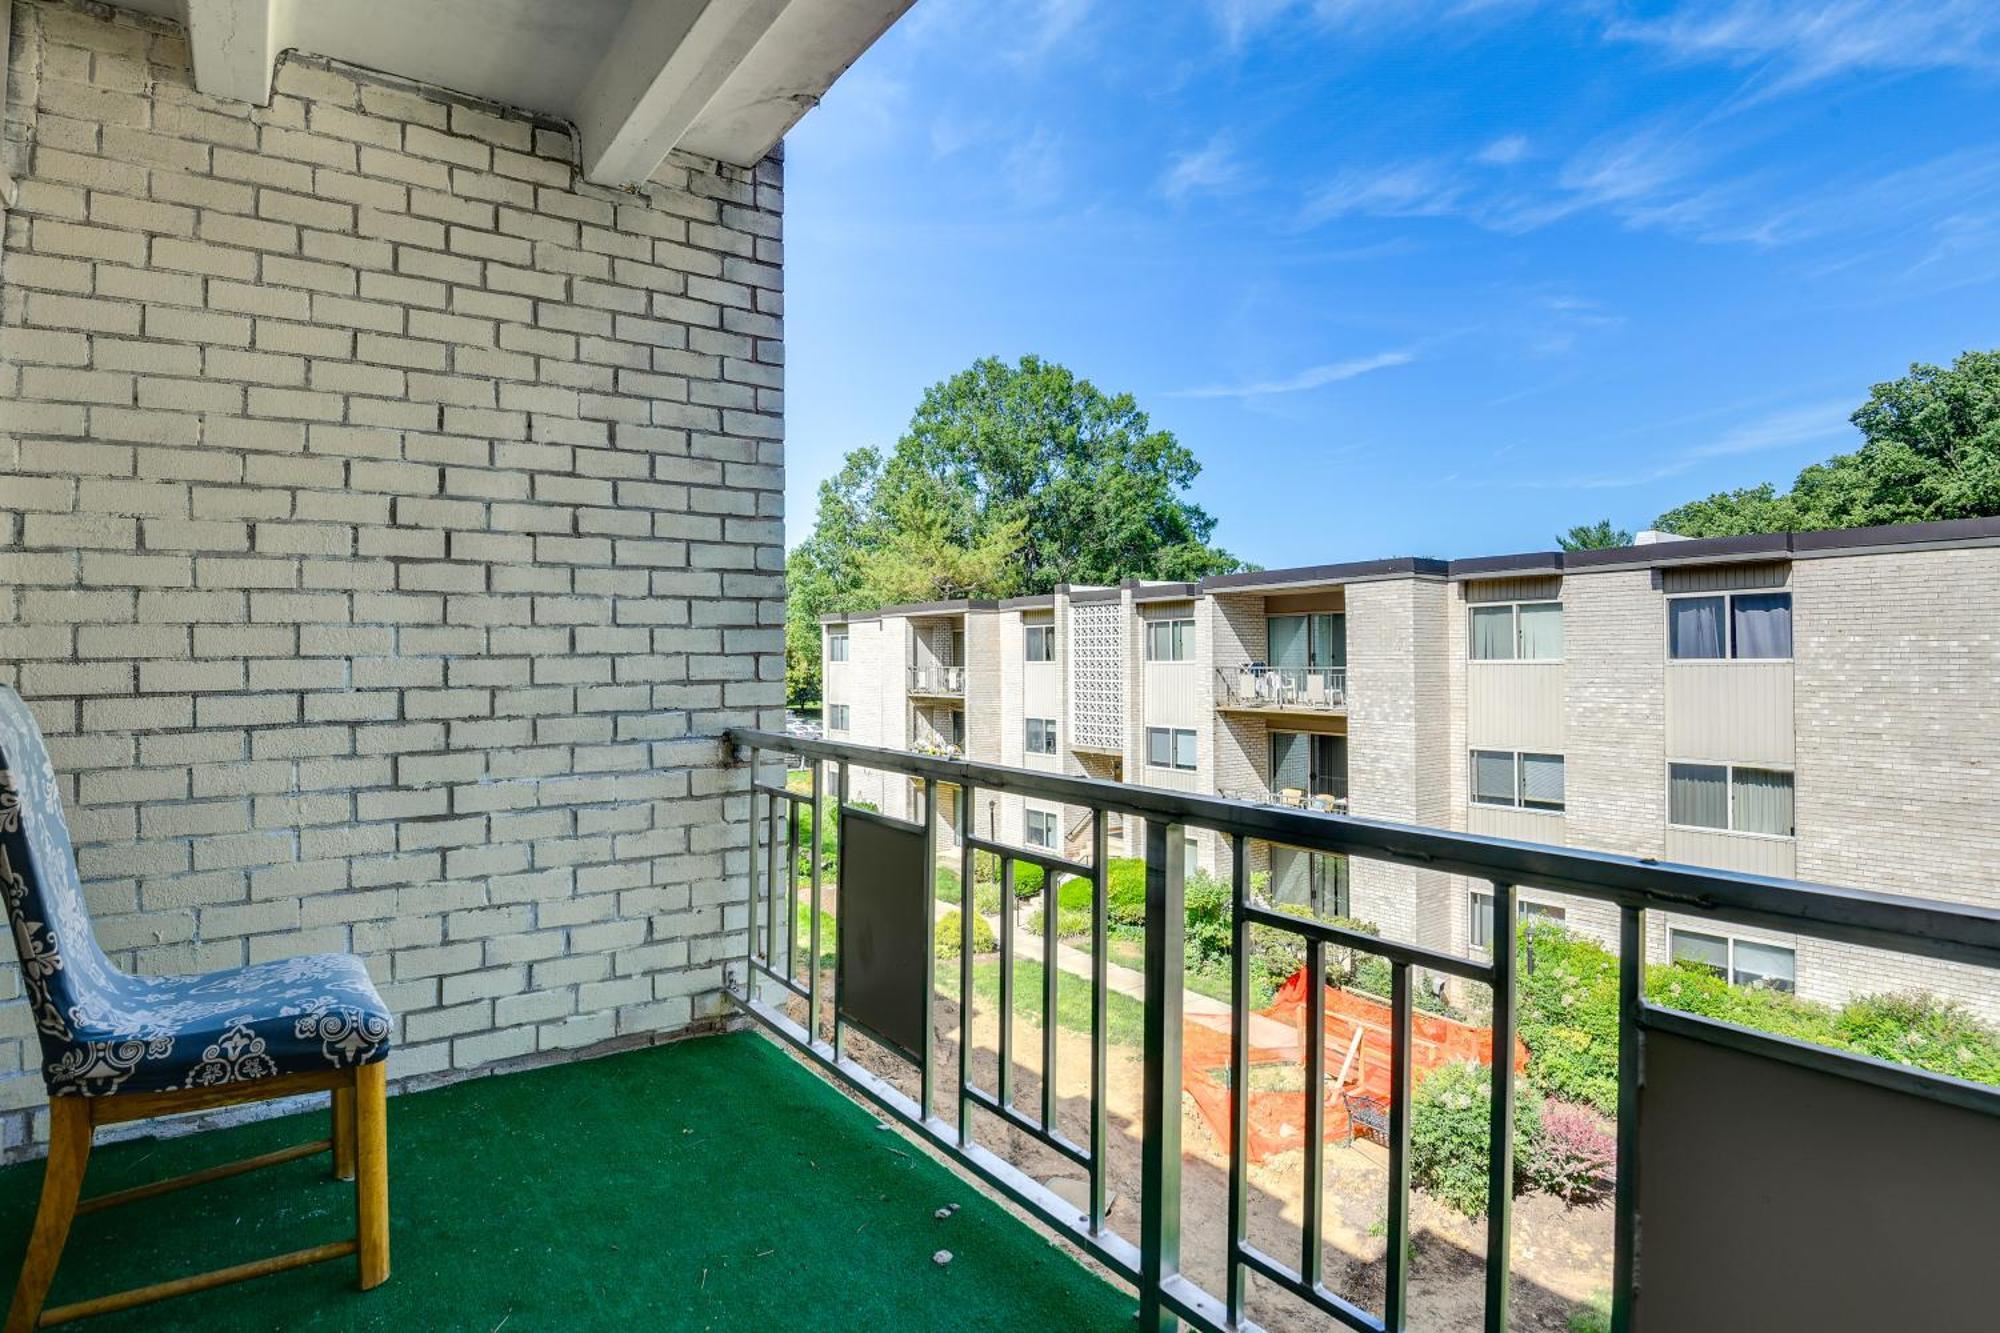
1885,716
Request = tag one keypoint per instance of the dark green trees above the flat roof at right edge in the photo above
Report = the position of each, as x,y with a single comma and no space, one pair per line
1931,449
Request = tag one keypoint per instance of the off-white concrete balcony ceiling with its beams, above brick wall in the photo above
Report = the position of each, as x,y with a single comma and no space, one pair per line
723,79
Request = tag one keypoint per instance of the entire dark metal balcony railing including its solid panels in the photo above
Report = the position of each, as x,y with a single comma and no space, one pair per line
1691,1090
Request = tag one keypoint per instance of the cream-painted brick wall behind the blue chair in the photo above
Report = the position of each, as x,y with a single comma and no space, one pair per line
389,525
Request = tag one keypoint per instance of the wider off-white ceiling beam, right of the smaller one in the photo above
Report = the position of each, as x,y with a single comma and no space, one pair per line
665,65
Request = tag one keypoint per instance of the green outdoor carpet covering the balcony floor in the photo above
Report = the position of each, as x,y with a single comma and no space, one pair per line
703,1186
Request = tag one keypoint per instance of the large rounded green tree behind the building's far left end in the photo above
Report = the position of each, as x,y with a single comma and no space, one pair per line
1009,481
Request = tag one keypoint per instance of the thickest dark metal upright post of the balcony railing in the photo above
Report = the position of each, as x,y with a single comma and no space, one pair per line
1167,930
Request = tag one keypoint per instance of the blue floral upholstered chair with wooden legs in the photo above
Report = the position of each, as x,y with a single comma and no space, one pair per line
119,1048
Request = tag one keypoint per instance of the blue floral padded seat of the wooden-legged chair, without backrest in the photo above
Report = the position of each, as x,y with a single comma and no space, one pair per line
159,1034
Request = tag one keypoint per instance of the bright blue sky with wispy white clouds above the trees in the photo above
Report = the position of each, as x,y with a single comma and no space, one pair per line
1409,277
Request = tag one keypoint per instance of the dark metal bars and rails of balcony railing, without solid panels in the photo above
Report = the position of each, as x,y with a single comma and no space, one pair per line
1153,1264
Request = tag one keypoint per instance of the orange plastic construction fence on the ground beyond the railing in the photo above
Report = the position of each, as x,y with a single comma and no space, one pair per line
1357,1062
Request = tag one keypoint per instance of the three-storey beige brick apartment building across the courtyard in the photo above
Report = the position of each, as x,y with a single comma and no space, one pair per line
1815,706
